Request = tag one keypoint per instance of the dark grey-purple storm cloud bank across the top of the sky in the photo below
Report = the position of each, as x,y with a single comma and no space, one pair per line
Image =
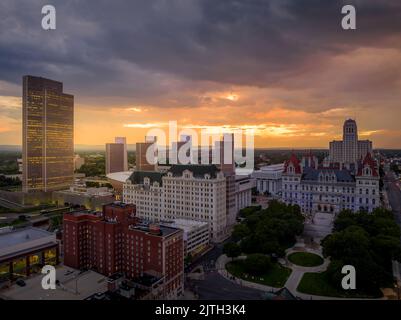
132,48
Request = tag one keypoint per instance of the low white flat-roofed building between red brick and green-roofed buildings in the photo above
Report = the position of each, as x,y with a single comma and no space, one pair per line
196,234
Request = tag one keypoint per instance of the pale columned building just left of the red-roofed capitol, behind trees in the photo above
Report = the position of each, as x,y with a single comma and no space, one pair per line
268,179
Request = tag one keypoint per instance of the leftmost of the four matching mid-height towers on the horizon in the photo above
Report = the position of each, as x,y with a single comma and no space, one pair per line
116,156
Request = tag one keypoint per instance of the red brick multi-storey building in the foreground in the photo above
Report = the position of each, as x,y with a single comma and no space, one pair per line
116,241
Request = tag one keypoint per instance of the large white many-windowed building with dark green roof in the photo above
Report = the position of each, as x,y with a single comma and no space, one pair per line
193,192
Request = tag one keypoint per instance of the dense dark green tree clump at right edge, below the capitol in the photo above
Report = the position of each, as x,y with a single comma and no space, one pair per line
367,241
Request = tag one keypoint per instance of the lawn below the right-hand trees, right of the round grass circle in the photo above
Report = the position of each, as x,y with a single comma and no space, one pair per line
318,284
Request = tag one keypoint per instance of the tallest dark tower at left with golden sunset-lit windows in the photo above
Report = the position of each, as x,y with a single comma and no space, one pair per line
48,135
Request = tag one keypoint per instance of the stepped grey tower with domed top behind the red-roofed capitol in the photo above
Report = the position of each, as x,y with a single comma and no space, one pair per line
350,149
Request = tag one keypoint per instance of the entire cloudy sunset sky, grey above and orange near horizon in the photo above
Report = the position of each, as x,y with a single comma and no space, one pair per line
283,67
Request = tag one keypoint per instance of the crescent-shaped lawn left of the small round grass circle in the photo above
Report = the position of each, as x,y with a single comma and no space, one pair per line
274,277
